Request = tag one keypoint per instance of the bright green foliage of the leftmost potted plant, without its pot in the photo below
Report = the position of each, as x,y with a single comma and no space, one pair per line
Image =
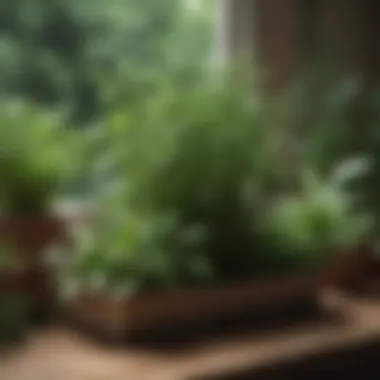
34,159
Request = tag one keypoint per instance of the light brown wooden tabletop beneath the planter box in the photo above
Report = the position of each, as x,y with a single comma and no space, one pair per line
60,354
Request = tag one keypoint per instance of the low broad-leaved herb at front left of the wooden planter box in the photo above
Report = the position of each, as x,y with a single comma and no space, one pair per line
123,256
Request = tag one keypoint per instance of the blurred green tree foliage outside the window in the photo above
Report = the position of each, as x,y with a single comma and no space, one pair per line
56,52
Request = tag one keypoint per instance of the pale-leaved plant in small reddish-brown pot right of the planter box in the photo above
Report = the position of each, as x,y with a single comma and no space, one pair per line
322,224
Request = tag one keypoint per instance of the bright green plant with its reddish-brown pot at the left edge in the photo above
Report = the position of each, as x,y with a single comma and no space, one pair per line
33,165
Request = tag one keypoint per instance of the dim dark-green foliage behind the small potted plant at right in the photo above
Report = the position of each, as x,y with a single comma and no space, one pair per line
334,116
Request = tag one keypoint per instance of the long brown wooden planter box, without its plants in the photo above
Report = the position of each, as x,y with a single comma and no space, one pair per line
167,310
